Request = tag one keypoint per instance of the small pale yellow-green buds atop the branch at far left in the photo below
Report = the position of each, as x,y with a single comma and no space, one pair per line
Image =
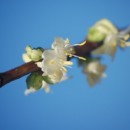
32,54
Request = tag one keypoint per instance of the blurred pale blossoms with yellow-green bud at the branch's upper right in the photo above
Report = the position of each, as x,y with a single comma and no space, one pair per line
105,31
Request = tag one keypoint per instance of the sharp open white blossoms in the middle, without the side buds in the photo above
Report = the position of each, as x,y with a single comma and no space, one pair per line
54,63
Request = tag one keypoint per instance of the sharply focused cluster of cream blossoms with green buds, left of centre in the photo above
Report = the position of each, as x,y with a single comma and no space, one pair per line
53,65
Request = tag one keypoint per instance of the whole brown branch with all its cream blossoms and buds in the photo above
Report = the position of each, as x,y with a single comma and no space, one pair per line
49,66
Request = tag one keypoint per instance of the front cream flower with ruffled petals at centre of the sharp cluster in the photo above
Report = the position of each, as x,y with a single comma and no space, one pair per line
54,62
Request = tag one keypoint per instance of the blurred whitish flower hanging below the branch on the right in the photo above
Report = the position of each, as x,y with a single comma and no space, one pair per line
94,71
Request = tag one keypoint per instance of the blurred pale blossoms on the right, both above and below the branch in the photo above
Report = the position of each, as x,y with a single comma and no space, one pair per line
107,33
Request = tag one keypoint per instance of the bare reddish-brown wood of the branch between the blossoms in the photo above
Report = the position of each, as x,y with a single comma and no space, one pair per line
27,68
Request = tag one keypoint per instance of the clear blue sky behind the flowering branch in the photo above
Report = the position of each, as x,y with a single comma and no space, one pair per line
73,105
